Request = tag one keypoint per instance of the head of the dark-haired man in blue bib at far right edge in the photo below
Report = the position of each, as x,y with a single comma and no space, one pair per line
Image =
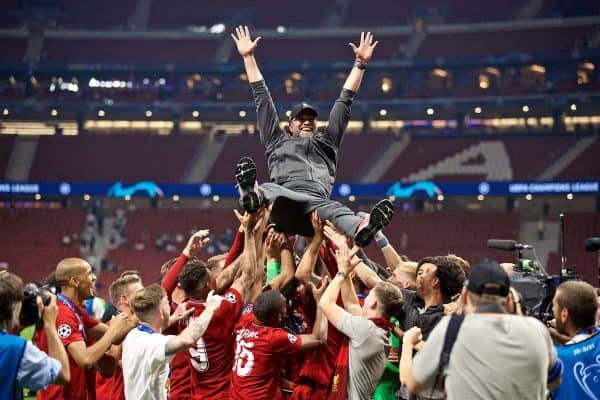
579,298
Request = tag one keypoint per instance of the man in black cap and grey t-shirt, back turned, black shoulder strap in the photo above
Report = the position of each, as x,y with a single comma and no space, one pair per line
495,355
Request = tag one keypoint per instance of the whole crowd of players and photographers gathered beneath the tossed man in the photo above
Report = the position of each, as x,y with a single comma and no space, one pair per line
261,322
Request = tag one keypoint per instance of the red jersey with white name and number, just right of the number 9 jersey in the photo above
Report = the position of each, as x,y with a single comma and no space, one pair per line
259,354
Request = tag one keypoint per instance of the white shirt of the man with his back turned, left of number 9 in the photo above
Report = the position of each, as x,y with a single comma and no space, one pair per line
145,365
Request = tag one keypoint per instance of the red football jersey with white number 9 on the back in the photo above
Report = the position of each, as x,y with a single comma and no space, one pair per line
212,358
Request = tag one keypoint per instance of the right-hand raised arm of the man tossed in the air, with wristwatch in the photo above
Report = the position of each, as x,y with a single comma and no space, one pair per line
340,113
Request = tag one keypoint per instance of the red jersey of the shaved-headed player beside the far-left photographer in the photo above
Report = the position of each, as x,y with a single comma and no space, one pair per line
70,329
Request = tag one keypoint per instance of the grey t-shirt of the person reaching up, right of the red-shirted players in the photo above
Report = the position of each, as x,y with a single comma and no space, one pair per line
369,348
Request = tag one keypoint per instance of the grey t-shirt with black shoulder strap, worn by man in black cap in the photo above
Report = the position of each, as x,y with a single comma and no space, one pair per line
495,356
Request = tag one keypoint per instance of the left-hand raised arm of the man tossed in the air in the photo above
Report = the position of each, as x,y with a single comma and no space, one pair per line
267,119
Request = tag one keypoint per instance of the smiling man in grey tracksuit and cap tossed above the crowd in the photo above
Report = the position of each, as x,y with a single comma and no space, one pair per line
303,162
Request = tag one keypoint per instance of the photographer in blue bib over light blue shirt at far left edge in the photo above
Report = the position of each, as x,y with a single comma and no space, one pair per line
23,364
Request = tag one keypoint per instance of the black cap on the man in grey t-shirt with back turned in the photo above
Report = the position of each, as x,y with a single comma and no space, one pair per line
488,277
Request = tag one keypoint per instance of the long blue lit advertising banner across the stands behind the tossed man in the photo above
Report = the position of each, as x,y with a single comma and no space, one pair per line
400,190
